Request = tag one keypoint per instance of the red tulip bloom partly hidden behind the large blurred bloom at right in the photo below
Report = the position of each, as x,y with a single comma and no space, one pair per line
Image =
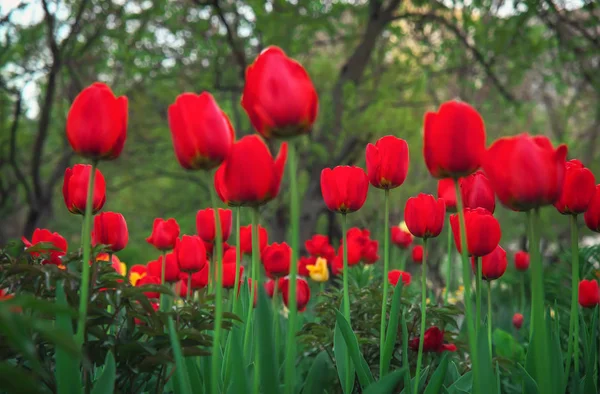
578,190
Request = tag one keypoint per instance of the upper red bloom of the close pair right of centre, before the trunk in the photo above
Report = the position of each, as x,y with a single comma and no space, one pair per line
387,162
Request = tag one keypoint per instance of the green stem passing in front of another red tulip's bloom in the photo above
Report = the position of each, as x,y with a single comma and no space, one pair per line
466,268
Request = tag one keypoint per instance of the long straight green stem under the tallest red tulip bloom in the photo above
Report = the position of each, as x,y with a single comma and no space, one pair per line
290,353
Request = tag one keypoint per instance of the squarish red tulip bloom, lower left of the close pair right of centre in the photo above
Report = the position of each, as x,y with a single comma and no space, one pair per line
344,188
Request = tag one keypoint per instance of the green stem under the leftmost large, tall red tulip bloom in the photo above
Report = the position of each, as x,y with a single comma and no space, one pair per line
86,245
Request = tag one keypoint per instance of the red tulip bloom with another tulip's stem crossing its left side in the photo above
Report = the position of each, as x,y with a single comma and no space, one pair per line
483,231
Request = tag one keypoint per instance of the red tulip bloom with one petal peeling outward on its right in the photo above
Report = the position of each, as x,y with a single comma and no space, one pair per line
250,176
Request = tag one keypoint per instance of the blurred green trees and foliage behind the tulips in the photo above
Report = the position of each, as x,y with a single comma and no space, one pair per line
378,65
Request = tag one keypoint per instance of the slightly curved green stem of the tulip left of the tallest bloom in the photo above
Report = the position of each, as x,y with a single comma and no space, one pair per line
216,348
